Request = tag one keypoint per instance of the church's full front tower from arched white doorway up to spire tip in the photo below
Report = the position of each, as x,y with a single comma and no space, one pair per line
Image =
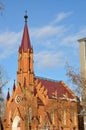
19,103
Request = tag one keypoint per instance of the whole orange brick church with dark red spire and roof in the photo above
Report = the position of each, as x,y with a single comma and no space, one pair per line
38,103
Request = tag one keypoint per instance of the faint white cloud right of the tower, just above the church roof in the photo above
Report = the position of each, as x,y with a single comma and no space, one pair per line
46,59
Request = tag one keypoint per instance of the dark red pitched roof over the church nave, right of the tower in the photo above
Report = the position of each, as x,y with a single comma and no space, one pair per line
56,88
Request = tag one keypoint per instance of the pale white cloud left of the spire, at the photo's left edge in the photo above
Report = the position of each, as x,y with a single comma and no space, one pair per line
8,43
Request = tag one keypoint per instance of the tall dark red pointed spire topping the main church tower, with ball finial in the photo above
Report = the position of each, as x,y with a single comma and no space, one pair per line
25,44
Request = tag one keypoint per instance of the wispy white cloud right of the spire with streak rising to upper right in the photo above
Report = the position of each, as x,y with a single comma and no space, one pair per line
51,29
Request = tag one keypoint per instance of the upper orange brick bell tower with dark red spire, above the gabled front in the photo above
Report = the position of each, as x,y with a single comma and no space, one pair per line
25,74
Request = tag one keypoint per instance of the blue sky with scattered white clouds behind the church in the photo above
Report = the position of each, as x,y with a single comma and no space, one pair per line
54,28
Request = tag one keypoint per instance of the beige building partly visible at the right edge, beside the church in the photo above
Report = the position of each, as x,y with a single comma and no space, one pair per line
82,43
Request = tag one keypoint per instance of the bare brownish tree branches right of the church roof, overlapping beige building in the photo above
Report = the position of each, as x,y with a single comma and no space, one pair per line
79,83
